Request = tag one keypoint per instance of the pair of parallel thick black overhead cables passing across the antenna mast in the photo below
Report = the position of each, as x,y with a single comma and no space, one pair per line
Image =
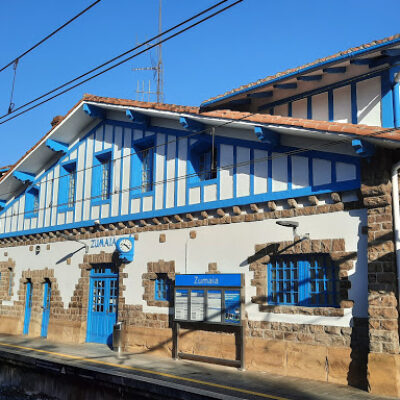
120,62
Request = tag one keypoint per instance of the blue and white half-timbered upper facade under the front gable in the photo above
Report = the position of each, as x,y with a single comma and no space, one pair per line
119,170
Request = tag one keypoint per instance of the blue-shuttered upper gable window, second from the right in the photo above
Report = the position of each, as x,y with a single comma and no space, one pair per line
142,166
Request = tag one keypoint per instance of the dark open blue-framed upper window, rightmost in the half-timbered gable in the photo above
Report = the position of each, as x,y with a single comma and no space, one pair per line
203,160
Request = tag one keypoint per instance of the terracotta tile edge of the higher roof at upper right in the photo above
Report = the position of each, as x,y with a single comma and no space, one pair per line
292,71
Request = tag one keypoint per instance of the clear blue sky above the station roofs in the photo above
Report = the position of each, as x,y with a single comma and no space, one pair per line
250,41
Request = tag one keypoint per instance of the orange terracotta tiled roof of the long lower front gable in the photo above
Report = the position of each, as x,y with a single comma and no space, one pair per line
333,127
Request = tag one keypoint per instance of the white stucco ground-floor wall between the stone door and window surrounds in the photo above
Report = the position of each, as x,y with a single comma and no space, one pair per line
227,245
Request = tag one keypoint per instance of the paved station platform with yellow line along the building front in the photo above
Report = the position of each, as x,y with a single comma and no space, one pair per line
209,380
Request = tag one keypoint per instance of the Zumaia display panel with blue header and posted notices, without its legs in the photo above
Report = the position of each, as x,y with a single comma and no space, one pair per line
210,298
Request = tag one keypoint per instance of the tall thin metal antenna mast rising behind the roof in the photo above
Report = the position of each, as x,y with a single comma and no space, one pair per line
143,93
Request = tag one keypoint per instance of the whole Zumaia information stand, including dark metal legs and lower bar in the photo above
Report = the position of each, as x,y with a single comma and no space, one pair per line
210,302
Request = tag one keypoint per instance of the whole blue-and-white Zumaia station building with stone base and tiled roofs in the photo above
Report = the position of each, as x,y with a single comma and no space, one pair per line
260,228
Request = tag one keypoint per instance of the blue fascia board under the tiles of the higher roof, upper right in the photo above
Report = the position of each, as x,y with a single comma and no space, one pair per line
307,69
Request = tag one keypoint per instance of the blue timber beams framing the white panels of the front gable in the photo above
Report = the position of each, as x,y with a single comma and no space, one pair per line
197,144
